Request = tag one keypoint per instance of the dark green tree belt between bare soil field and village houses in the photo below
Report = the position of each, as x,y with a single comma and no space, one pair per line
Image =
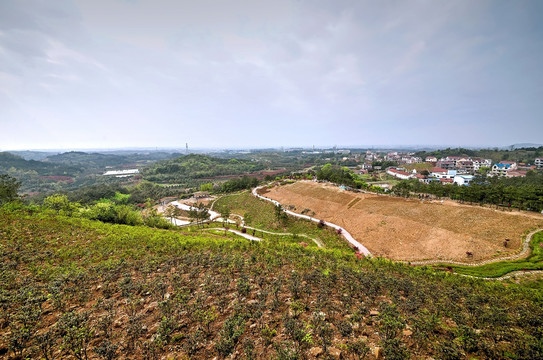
524,193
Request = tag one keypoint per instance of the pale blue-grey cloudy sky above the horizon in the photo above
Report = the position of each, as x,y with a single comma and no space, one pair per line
78,74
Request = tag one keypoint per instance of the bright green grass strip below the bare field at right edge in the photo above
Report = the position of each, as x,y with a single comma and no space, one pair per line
497,269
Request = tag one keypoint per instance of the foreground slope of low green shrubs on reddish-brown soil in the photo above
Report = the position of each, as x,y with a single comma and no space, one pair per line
76,288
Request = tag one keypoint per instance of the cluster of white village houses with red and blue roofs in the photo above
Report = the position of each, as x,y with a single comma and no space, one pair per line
459,169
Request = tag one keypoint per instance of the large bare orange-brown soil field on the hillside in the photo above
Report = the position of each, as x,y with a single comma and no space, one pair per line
405,229
